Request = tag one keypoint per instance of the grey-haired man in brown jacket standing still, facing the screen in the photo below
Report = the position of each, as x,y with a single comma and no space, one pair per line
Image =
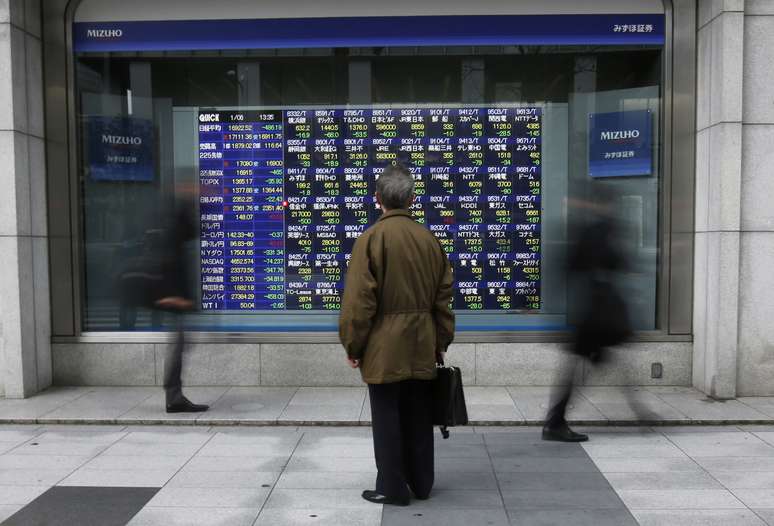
395,322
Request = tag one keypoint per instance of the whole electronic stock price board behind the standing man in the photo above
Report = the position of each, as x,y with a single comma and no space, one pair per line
284,194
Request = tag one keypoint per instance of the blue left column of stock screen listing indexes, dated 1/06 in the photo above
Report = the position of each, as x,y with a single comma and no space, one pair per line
242,218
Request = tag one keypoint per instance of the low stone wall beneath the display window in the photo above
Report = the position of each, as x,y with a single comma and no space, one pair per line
274,364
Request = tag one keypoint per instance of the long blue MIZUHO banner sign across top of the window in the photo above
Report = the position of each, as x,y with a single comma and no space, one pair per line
622,29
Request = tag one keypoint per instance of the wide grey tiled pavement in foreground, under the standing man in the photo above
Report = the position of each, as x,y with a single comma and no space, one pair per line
286,475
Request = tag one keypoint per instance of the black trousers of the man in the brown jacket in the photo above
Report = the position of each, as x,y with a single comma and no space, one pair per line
402,422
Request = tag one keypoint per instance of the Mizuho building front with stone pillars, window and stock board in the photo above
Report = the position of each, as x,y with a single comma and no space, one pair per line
271,123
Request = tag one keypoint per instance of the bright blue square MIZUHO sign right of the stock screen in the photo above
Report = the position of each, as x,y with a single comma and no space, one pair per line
620,144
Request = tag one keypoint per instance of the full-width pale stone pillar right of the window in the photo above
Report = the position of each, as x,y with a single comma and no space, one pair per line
733,307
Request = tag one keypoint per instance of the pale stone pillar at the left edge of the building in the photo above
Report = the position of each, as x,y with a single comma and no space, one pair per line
25,357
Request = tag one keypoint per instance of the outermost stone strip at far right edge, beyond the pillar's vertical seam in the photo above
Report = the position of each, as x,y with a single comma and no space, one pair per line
755,375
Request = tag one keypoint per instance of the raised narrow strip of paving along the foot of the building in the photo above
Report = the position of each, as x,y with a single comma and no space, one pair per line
349,406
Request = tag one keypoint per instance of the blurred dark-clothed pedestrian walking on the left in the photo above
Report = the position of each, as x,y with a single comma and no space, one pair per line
176,297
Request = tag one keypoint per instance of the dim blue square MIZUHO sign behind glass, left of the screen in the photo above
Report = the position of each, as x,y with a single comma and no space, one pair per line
120,148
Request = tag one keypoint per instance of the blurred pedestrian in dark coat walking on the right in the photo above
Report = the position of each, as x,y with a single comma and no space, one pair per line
597,310
